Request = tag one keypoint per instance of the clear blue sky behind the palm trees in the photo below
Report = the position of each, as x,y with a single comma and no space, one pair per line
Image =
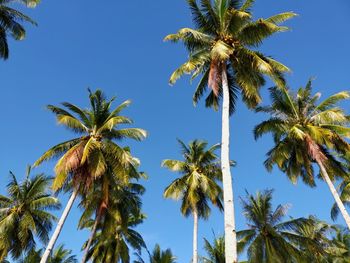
117,46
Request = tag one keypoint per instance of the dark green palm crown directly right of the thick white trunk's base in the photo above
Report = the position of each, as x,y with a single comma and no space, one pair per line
268,238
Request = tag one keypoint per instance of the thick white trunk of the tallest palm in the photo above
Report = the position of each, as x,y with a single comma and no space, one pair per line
229,213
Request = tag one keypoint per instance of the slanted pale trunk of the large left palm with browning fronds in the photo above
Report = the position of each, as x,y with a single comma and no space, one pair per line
58,229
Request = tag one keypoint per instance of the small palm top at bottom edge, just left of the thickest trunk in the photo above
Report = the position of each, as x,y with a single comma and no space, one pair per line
215,251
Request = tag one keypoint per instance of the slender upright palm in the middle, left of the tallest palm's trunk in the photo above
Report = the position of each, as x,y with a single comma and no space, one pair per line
197,185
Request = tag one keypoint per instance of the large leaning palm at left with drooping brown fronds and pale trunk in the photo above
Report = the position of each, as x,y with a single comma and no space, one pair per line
86,158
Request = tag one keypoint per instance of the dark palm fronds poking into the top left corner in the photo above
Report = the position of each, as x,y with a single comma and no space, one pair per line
10,23
